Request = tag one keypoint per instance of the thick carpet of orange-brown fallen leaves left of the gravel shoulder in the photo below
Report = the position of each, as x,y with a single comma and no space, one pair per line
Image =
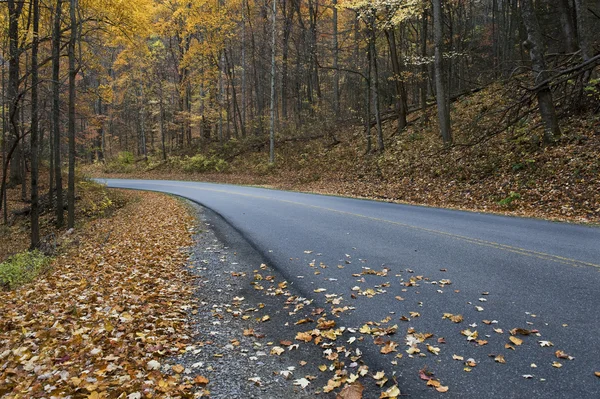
99,323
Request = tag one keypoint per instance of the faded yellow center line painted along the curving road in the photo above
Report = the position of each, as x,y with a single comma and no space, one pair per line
477,241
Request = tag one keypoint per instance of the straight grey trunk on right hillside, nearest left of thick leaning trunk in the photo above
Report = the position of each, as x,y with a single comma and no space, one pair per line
440,81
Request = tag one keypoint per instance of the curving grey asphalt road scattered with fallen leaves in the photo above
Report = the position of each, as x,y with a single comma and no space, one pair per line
522,273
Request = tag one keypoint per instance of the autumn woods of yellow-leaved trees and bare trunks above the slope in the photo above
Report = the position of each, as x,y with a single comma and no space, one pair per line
86,78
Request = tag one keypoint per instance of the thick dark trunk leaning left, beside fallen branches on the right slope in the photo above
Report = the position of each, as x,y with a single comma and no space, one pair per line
535,42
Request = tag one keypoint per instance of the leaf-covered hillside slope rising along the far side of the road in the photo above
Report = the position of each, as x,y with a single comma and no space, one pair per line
491,167
